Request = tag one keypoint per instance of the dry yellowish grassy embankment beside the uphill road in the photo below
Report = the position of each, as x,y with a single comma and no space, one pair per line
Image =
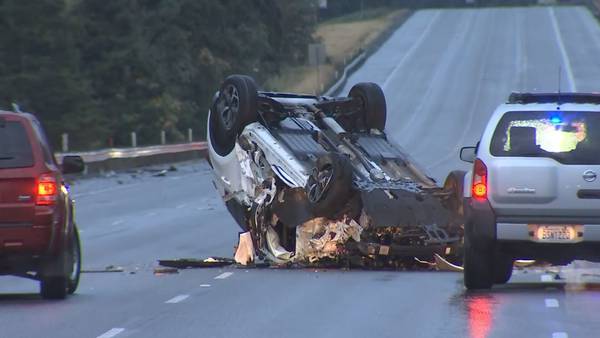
344,38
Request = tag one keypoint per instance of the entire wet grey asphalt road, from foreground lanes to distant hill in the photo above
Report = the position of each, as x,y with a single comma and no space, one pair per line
443,72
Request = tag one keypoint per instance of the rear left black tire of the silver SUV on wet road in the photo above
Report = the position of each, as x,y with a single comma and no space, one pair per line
478,271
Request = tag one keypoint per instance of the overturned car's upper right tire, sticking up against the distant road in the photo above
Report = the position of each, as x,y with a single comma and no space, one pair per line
373,111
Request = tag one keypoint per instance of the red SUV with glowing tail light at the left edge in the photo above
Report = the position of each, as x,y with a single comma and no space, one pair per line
38,235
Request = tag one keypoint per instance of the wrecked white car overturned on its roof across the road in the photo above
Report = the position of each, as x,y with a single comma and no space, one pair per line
313,178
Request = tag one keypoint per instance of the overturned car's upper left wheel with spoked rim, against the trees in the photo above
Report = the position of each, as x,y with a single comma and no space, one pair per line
234,107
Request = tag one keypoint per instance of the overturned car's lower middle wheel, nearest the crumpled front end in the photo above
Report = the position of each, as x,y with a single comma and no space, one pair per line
329,187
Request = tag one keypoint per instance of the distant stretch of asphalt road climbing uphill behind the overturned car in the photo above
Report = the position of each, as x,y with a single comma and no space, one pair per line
444,72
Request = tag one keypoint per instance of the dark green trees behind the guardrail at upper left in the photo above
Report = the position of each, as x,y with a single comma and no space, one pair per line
99,69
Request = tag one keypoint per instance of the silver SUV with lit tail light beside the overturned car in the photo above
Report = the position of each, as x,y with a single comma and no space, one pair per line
533,191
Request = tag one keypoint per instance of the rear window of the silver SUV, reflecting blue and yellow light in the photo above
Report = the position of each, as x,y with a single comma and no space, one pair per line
567,136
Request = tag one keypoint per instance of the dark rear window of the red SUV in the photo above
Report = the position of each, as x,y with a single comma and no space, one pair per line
15,149
